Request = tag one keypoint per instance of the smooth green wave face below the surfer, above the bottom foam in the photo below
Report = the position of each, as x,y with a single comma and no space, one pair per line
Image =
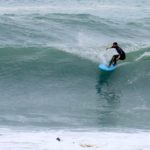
45,87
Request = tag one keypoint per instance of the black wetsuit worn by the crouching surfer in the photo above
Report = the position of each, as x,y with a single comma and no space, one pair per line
121,54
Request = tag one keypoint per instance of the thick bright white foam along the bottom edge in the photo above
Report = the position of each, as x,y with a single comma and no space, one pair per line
40,140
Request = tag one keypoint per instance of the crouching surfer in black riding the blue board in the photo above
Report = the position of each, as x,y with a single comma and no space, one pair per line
121,54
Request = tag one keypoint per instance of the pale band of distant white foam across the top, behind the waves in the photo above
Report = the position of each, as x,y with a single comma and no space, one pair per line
65,7
